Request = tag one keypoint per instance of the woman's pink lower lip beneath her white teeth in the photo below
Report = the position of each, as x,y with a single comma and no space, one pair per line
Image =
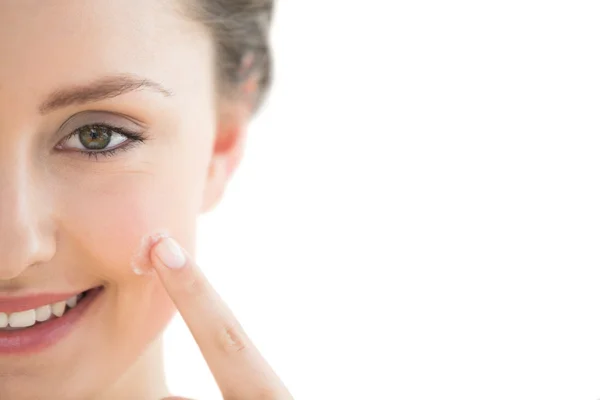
43,335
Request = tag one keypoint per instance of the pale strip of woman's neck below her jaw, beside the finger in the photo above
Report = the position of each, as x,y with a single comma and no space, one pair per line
144,380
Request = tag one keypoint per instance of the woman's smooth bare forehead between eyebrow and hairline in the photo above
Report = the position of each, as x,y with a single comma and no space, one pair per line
54,43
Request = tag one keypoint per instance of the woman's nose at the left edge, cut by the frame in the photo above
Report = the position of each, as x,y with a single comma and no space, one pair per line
26,232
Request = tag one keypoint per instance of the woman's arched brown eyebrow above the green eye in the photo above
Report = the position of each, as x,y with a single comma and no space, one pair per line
104,88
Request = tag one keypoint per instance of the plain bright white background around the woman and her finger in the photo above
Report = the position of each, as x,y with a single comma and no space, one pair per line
417,216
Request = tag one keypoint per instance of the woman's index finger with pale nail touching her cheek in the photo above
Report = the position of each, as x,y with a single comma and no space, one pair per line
238,367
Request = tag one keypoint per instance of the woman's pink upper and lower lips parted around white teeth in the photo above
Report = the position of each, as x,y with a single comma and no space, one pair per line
42,335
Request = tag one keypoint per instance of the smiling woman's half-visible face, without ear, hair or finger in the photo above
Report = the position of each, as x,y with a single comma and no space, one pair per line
76,77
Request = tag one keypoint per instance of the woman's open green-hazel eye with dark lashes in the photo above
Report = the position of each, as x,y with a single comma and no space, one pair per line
96,140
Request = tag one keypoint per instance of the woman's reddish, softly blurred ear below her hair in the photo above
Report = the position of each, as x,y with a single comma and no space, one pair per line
230,137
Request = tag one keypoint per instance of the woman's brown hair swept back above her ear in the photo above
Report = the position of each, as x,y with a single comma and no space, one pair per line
240,29
